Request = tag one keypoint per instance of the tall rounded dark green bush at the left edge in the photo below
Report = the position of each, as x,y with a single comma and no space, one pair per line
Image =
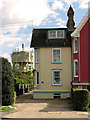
7,83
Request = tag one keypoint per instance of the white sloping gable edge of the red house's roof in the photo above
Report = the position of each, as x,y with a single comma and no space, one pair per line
76,33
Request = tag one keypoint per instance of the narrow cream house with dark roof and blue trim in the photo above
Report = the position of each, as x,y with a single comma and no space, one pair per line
53,62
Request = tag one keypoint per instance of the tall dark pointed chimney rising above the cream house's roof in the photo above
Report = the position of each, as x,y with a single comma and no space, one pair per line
70,22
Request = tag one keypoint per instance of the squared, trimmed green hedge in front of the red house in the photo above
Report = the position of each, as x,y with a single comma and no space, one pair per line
80,99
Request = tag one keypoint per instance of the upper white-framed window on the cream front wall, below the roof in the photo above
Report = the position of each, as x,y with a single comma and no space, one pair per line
56,55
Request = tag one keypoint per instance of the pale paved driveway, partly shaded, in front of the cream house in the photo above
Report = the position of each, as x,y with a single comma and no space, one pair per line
29,108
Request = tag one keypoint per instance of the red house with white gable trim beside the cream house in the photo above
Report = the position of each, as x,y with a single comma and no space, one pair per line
81,54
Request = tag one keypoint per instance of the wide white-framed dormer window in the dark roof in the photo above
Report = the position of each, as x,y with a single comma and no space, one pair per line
56,34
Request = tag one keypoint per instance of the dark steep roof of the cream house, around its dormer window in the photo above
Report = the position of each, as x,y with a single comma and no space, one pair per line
40,38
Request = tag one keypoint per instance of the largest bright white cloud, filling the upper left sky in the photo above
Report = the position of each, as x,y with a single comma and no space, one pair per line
21,13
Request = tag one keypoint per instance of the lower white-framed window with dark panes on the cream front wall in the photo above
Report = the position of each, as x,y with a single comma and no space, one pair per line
56,77
